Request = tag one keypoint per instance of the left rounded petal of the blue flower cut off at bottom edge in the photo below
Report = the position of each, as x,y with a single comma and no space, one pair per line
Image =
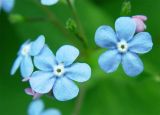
36,107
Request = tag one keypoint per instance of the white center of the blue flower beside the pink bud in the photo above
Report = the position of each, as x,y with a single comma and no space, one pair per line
122,46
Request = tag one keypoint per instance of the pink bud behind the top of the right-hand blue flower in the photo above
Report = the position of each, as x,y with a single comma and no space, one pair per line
140,19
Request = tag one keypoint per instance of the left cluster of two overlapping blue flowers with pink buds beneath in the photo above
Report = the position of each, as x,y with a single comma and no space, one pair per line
55,73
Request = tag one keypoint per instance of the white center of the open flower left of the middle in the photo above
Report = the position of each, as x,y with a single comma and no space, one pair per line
59,70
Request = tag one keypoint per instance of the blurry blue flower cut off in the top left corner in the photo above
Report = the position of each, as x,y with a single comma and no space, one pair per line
6,5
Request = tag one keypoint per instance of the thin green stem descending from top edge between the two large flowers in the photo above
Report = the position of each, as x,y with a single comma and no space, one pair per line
80,34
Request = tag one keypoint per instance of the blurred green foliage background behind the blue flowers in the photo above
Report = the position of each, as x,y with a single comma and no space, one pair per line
104,94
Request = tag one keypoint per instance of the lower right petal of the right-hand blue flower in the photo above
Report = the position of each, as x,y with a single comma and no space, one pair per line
132,64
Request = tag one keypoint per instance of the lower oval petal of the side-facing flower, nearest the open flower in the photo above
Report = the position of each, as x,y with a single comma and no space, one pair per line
26,67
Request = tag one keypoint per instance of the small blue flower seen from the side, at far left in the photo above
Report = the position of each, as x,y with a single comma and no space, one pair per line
24,60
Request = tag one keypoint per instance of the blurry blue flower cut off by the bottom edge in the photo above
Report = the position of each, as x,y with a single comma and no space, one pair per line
37,108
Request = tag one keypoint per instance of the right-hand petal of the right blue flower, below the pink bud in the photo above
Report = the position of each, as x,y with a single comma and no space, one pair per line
141,43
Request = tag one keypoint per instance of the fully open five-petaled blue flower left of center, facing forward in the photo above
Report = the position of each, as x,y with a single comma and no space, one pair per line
57,72
